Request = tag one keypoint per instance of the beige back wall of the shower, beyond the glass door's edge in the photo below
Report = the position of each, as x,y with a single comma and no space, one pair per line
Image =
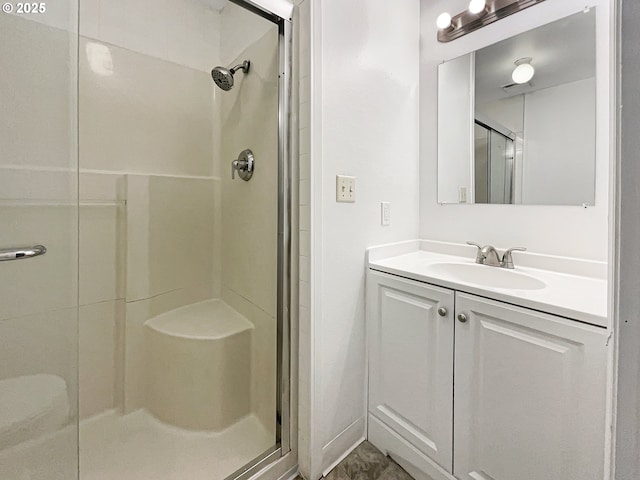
146,160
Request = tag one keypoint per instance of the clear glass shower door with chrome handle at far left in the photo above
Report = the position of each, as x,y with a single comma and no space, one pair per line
38,208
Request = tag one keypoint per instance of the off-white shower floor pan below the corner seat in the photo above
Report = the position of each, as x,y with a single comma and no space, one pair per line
139,447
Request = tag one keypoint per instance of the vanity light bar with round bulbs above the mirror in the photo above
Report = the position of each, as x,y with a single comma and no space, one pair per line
479,14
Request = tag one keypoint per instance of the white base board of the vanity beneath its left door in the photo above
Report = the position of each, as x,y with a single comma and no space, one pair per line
416,463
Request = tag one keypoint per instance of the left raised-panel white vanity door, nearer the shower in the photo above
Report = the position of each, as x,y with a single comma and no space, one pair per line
411,362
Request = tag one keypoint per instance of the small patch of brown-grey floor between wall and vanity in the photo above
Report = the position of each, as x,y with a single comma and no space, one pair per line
366,462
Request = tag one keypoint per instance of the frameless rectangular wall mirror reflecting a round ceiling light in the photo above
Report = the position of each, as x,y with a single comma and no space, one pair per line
517,119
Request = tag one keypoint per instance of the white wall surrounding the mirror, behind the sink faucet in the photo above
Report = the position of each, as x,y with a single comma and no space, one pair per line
509,225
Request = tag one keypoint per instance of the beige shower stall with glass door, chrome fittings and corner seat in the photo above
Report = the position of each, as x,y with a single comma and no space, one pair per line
145,254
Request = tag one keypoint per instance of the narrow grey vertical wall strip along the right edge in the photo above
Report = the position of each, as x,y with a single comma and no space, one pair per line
627,434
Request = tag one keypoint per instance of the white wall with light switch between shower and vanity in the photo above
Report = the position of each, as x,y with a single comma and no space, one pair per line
365,123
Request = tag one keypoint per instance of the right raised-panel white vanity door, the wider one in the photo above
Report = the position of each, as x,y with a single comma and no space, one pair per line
529,394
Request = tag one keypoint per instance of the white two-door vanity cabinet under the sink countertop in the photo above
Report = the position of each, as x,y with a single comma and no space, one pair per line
528,400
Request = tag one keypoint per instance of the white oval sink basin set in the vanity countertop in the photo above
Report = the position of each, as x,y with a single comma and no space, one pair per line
491,277
